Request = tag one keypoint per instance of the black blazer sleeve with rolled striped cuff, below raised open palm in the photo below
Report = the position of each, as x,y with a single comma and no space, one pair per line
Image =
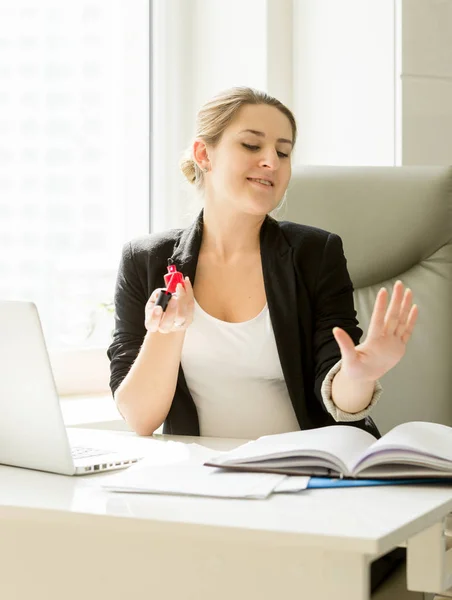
334,307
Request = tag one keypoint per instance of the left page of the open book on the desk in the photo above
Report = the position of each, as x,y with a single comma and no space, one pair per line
341,445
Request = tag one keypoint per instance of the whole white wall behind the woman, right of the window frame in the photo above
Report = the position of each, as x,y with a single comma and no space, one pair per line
369,81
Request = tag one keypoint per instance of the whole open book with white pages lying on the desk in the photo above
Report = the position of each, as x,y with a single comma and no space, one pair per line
413,450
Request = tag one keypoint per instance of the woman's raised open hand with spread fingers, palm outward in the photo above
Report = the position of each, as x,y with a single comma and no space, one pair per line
390,329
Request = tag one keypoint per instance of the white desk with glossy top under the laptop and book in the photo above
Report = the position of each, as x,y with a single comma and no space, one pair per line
64,538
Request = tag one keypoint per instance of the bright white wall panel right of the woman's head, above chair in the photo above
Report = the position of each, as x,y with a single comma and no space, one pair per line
343,81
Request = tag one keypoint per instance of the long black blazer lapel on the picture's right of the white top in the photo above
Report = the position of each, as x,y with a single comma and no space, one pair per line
281,291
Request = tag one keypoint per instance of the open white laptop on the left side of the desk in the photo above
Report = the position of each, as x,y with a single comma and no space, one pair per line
32,430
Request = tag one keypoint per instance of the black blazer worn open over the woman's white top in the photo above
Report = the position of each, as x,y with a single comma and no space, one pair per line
308,290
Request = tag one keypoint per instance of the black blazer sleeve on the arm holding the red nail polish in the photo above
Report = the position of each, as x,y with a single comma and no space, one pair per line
130,301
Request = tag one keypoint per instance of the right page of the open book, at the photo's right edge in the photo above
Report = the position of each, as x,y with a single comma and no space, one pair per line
416,442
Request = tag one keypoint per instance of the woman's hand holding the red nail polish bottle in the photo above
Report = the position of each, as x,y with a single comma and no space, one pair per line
178,314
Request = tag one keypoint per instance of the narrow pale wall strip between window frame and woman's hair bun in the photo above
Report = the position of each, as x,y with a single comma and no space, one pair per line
172,106
